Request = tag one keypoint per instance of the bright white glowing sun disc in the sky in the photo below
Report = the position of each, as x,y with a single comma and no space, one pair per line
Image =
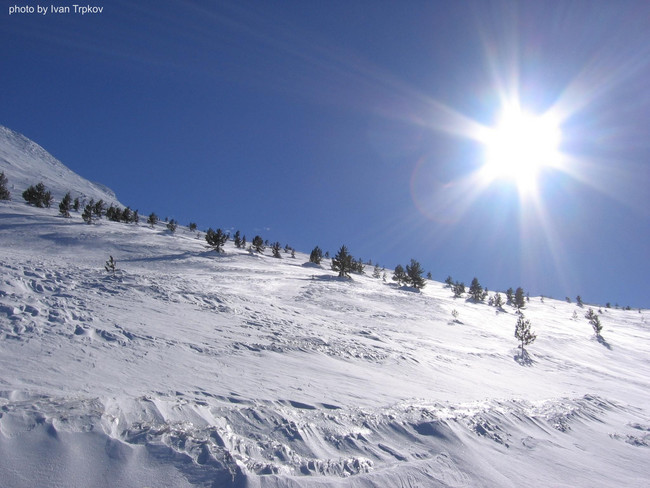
519,146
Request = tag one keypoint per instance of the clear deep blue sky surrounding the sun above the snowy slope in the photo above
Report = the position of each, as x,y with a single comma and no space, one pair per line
355,122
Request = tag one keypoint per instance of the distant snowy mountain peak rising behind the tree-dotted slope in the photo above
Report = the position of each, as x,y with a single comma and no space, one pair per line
25,163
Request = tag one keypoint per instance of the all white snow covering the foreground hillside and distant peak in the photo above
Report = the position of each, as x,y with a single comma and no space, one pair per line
192,368
